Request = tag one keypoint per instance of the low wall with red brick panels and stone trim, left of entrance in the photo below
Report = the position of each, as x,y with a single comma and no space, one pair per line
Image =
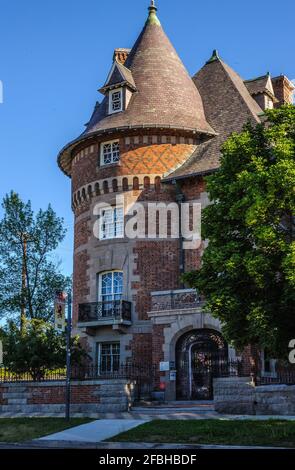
93,396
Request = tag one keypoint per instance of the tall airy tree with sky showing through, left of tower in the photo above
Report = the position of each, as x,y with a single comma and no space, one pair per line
29,276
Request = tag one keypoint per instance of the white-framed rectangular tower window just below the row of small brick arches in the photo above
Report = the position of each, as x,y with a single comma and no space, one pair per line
111,223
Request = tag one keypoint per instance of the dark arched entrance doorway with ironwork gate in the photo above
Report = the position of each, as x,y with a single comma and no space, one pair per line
200,355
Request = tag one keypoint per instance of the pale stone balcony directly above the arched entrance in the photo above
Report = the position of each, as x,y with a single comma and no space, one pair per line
180,299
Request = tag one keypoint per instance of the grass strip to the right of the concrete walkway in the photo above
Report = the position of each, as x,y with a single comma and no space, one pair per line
213,431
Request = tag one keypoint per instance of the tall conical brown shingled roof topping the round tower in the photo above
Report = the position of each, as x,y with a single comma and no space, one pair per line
166,94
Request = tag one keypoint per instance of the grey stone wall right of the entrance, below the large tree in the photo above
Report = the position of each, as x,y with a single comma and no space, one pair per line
240,396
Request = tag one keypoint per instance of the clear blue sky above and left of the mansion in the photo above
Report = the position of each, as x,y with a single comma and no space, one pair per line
55,54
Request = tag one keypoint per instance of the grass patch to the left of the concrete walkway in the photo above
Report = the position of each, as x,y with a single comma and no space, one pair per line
25,429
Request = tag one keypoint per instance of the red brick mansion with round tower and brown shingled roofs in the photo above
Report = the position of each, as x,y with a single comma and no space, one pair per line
152,138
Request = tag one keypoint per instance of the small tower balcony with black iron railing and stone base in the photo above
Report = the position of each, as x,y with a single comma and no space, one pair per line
115,312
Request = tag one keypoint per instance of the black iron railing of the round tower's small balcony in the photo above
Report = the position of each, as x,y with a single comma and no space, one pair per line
118,310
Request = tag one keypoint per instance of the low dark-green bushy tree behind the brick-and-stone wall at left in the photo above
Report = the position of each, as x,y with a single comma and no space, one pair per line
37,349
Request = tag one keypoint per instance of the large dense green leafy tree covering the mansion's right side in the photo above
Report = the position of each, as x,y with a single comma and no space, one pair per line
248,269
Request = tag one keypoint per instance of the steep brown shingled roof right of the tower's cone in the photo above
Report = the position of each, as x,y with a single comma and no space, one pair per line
228,107
